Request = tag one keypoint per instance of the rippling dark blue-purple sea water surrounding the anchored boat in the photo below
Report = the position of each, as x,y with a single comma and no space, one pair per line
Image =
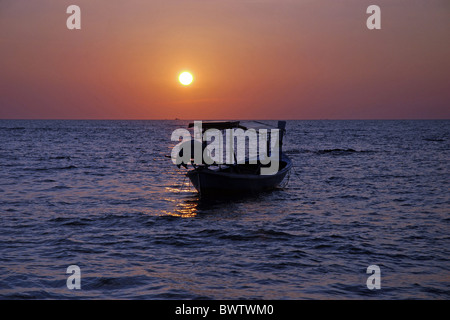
102,195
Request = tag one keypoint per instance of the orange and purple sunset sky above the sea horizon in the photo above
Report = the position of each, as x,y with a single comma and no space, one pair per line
251,59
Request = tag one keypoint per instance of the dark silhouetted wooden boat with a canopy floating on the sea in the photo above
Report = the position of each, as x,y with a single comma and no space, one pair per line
240,177
